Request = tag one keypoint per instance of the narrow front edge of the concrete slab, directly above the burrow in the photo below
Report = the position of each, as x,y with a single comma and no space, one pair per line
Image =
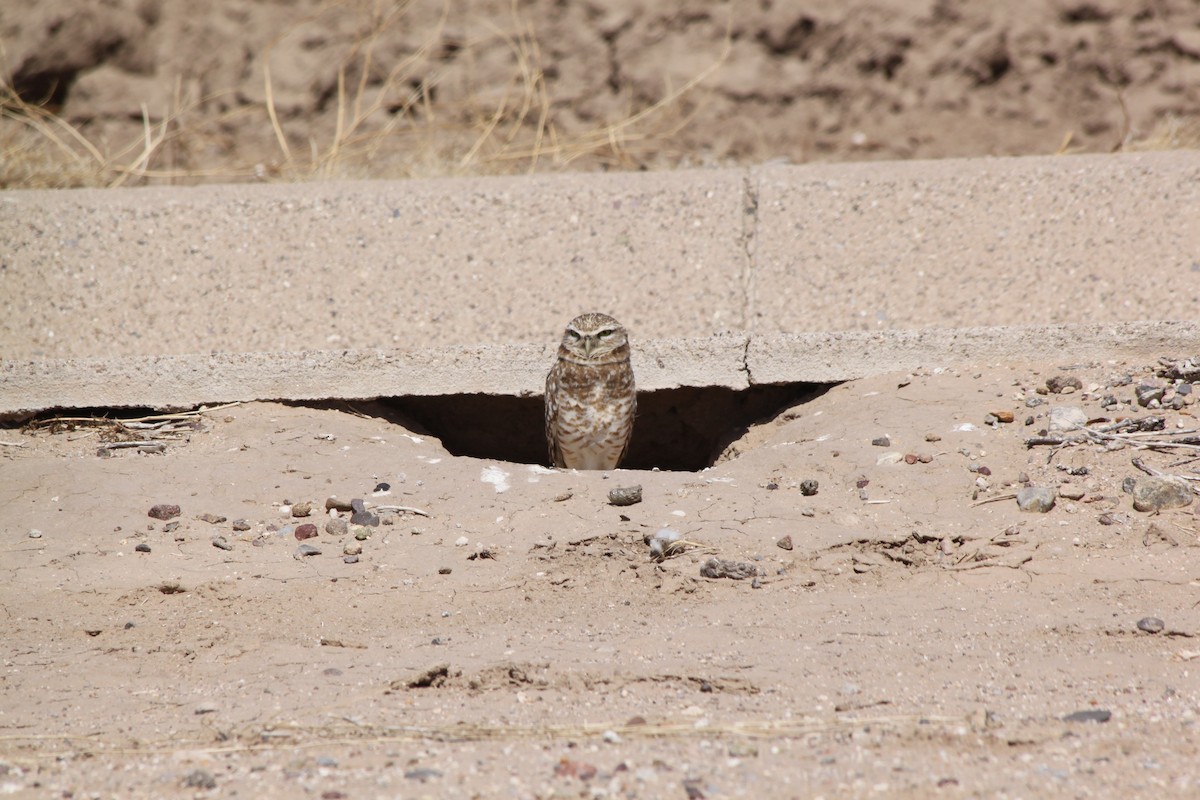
733,360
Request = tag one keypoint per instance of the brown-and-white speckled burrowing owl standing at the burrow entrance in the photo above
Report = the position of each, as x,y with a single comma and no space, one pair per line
590,395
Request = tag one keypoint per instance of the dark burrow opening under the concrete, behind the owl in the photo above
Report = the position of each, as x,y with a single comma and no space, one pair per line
676,429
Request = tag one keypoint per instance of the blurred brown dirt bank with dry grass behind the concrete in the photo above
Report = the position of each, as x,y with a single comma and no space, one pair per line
233,89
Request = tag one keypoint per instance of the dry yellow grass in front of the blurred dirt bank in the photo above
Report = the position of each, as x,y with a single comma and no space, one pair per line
388,121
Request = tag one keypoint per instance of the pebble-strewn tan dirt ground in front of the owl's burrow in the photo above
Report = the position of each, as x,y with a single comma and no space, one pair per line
507,634
